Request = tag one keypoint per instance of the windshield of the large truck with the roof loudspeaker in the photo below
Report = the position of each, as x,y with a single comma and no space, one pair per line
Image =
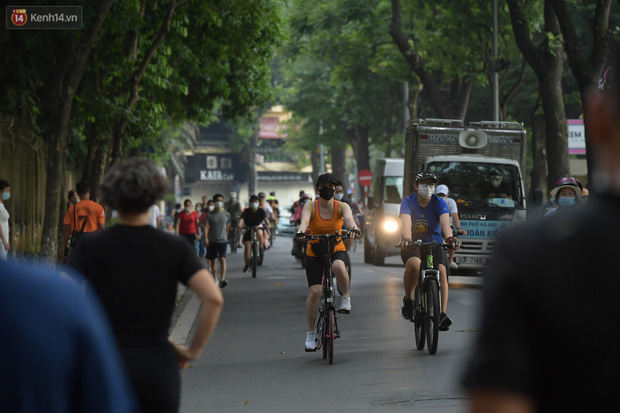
480,183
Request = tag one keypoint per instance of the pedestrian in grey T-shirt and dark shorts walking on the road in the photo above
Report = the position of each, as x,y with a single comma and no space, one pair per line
217,225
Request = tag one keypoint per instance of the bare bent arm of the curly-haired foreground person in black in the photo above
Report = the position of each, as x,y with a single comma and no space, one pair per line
212,300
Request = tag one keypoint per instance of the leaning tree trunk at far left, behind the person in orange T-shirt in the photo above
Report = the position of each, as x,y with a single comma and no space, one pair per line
57,133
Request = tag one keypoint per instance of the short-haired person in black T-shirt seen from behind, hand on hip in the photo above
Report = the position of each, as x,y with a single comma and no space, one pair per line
134,268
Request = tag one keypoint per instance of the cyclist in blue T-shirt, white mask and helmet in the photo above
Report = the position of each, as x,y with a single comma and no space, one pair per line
424,216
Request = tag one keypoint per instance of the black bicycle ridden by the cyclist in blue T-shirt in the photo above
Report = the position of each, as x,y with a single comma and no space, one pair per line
426,299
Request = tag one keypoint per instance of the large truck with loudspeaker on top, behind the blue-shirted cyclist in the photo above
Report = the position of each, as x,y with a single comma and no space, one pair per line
482,165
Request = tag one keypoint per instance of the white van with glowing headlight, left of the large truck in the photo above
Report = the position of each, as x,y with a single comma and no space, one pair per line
382,230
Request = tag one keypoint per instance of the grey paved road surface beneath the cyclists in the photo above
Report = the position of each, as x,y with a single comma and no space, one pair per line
255,361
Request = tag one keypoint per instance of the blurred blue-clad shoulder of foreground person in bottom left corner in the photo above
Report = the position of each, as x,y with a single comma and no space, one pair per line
58,353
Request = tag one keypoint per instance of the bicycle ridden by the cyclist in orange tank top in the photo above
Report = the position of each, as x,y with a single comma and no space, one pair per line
326,330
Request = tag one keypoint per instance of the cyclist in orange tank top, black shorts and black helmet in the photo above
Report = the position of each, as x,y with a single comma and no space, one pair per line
325,216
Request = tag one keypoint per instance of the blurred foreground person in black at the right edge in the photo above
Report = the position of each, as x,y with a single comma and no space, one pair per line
548,340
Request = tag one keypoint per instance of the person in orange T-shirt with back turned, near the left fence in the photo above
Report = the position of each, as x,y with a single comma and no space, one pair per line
84,217
